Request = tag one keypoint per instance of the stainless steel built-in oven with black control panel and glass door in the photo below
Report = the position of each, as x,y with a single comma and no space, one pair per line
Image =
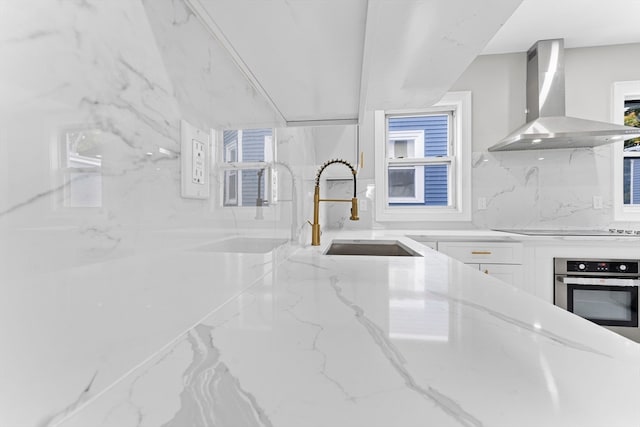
604,291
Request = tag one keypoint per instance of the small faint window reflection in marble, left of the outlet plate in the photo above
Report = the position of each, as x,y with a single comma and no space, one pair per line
81,166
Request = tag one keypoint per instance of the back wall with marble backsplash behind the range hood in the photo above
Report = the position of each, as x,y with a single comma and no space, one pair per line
545,189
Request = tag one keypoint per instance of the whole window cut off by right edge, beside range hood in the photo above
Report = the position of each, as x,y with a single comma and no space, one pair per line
626,180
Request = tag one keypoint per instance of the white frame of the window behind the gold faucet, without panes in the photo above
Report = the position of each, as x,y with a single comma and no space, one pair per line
459,160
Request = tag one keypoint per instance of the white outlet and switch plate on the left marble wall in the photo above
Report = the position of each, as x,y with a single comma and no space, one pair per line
195,161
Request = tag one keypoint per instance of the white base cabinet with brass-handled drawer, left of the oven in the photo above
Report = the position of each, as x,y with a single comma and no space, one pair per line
502,260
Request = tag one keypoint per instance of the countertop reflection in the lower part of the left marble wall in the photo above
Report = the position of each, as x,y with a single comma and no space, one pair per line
83,328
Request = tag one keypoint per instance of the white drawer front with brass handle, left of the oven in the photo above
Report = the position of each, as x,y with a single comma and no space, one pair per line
483,252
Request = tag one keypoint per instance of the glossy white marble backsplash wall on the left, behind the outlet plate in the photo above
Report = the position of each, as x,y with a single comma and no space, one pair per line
89,292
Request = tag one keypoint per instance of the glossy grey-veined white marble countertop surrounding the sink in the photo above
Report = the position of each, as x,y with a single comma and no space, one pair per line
323,340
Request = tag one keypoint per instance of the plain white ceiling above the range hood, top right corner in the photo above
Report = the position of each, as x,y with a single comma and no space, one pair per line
581,23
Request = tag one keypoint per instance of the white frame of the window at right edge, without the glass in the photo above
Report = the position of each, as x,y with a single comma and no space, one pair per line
622,91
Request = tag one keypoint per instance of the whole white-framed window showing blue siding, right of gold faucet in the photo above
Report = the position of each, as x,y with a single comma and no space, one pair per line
423,162
